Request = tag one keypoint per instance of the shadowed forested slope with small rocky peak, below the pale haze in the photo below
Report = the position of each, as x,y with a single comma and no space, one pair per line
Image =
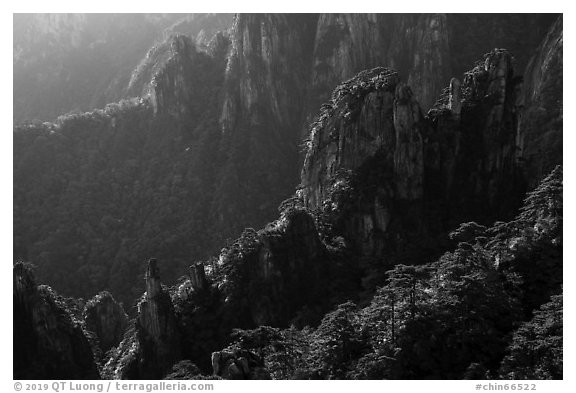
99,191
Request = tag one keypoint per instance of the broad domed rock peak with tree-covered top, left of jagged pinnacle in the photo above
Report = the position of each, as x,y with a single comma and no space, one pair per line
366,114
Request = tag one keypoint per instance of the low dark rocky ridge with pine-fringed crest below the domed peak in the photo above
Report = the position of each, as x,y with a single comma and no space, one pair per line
278,276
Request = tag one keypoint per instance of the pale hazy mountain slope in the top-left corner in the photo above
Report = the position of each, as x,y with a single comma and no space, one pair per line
79,62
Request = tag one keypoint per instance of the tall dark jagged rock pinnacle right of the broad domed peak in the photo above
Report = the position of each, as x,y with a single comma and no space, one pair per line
490,115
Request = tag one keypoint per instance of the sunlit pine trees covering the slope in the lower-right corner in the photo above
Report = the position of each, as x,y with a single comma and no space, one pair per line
492,308
